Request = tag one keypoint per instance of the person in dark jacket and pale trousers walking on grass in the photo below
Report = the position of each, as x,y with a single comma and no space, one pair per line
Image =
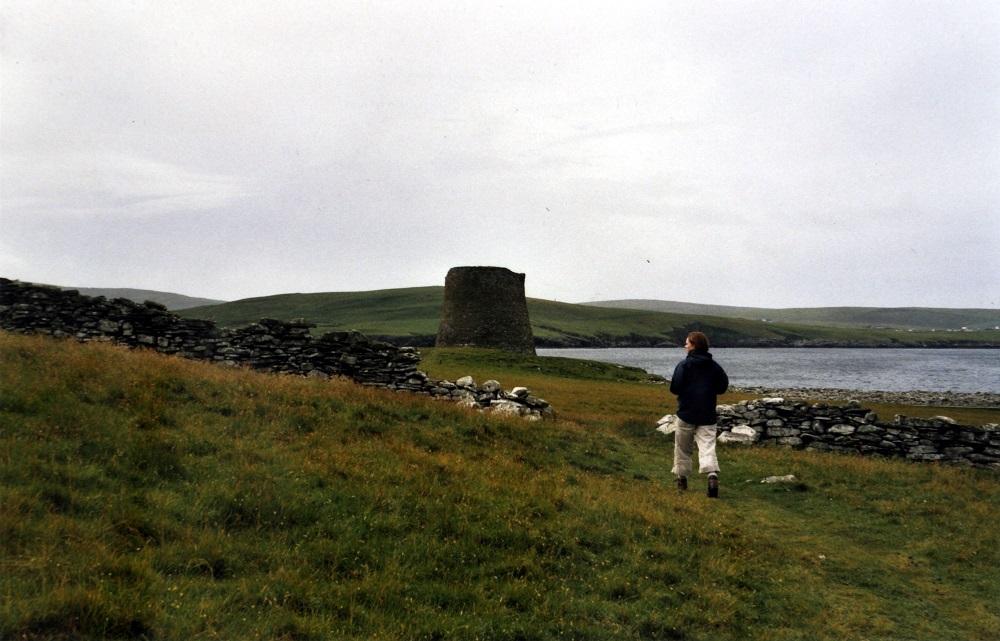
697,382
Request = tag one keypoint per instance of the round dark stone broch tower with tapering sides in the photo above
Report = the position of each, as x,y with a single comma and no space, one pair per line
485,307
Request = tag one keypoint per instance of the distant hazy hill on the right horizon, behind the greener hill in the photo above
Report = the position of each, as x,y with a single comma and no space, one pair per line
901,317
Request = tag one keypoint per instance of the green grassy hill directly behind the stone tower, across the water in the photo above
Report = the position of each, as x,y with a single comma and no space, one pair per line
411,315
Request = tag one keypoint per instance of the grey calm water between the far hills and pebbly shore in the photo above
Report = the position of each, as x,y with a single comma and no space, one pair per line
890,370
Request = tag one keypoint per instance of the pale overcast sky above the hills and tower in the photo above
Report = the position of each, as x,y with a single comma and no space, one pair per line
771,154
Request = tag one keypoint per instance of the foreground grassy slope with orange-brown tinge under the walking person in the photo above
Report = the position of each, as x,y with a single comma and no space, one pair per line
147,497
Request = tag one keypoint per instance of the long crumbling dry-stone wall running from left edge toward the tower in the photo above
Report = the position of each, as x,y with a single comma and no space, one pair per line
268,345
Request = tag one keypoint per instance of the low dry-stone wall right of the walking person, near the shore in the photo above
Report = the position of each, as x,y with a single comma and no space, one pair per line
854,429
